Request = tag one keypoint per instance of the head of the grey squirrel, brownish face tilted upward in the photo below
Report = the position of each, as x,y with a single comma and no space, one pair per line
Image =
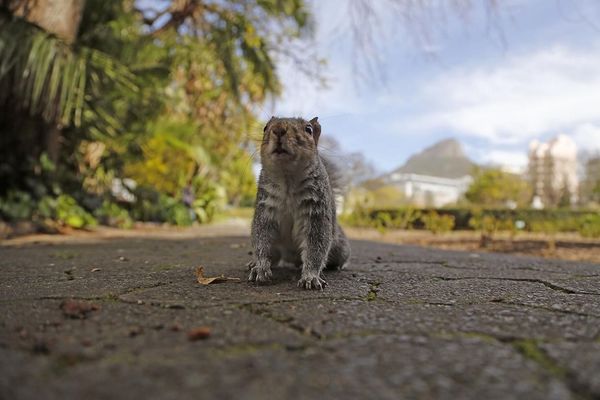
289,141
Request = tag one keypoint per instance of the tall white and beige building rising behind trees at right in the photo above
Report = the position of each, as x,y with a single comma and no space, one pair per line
553,169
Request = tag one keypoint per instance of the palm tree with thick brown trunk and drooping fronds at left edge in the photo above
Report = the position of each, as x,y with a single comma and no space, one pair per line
47,81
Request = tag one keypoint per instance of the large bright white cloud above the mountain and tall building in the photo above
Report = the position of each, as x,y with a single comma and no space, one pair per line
552,90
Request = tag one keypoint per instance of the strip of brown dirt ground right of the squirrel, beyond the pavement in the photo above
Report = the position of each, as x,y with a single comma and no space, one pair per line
567,246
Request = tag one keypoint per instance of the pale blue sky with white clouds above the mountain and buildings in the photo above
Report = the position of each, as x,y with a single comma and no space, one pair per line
530,71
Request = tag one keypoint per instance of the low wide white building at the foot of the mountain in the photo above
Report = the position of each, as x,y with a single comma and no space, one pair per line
430,191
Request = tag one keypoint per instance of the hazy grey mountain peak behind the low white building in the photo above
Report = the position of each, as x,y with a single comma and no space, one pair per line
445,159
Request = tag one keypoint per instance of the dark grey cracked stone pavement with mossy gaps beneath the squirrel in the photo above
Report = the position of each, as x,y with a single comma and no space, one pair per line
400,322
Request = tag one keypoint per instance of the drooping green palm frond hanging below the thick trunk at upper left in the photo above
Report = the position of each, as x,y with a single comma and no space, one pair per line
49,78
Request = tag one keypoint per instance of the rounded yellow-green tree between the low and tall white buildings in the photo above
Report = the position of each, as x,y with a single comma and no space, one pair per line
496,188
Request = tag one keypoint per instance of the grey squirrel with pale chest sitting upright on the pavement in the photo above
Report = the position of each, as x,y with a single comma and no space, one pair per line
295,214
